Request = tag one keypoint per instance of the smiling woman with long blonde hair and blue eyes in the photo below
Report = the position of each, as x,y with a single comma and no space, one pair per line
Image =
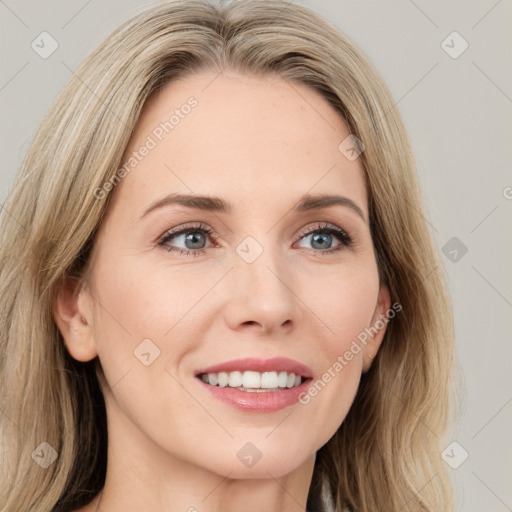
218,288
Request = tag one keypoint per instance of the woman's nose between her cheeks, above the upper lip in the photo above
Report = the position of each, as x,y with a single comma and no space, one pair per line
261,296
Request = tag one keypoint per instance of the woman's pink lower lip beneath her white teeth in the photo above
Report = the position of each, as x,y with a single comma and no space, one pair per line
264,401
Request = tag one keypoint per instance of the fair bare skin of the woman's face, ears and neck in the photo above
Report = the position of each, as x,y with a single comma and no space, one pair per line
260,144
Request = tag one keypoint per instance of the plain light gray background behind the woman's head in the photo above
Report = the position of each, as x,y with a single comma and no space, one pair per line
458,115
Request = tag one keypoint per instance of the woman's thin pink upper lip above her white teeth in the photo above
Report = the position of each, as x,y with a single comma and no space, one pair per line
278,364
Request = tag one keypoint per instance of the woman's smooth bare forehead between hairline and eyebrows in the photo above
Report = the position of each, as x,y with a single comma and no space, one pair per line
250,139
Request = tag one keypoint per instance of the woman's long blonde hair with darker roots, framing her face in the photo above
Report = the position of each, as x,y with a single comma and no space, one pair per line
386,455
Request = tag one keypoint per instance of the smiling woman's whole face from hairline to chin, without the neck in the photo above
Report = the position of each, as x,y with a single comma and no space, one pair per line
179,289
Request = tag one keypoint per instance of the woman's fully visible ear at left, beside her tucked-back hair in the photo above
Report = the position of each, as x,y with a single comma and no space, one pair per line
72,311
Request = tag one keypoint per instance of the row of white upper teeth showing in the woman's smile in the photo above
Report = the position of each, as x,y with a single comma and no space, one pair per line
253,381
